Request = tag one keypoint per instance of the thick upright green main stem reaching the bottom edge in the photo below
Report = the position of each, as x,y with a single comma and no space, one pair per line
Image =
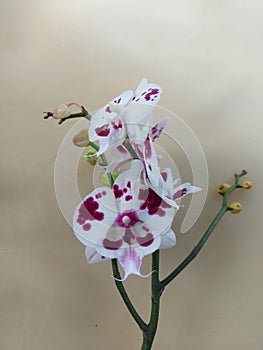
149,334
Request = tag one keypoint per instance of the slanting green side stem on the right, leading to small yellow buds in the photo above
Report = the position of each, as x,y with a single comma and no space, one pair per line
201,243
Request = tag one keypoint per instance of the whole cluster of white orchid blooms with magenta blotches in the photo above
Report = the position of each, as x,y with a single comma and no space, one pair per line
133,217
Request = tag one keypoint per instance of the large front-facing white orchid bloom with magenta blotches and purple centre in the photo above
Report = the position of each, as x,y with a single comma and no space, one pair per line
126,222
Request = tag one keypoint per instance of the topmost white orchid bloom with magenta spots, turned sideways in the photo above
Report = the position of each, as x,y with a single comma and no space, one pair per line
129,113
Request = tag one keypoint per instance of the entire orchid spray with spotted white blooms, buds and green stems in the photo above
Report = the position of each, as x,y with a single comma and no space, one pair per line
132,214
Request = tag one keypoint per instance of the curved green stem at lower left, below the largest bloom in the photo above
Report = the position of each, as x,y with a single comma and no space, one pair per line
125,296
